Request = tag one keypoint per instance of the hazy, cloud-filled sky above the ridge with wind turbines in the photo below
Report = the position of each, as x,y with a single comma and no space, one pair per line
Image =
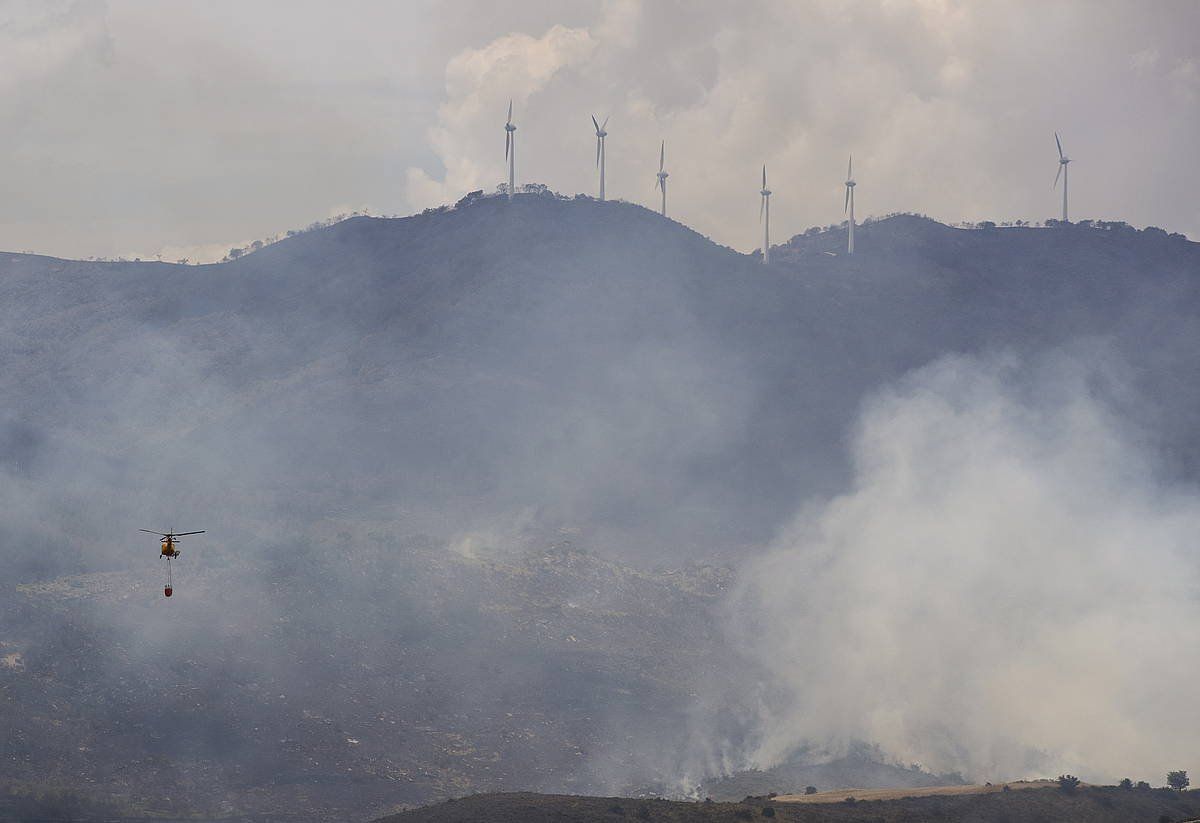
143,128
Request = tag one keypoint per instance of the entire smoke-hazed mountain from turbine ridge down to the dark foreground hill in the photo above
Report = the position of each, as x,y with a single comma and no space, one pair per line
391,428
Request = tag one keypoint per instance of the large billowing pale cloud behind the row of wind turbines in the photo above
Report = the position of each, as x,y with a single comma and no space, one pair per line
949,107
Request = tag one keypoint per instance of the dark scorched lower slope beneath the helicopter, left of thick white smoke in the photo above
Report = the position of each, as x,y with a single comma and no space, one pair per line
346,681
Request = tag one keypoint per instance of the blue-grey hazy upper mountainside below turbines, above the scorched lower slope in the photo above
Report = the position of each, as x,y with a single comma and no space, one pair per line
571,364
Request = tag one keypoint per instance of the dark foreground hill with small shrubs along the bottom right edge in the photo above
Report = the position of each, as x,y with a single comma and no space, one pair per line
1088,806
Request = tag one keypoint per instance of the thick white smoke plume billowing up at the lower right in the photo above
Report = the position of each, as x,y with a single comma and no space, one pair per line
1007,591
